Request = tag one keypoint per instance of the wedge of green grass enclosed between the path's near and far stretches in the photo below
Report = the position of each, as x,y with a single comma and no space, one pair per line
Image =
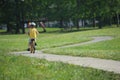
106,50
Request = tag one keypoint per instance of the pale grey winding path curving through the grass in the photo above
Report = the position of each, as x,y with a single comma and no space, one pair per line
103,64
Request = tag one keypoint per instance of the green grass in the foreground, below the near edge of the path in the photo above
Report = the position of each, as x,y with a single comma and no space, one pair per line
25,68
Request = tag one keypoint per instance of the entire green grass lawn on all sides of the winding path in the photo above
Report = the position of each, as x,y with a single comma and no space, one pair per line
25,68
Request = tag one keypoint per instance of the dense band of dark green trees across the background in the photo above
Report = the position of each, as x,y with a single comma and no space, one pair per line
15,13
